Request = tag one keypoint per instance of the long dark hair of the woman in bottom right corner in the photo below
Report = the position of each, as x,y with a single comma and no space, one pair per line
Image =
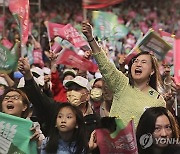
147,122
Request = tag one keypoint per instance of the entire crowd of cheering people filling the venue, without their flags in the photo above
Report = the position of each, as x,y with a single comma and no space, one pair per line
69,104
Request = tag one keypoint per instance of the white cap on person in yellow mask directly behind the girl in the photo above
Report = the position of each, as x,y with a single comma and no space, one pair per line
83,82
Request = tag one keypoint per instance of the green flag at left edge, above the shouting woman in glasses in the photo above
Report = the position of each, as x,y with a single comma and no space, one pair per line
9,59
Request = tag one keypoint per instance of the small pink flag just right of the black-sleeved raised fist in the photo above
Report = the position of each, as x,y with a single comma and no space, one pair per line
37,57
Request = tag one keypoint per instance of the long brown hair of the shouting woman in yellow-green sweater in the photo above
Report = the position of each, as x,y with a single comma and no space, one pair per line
155,79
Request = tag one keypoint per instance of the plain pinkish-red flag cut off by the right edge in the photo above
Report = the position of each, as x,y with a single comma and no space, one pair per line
176,60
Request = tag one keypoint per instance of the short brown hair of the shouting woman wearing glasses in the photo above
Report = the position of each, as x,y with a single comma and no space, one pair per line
25,100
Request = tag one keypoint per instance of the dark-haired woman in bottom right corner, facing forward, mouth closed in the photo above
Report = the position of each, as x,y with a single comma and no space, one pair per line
161,132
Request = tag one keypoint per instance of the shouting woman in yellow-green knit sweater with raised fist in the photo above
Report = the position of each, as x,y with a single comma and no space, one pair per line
132,94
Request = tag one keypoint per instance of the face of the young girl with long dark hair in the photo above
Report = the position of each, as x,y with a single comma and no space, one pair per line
66,120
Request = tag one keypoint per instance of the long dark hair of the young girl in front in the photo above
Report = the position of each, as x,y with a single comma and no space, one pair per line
79,136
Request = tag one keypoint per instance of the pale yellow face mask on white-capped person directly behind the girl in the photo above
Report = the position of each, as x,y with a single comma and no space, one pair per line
74,97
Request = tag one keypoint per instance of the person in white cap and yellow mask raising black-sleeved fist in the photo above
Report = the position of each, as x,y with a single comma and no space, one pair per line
77,94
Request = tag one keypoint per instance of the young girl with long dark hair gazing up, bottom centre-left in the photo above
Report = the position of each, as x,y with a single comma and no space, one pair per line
67,134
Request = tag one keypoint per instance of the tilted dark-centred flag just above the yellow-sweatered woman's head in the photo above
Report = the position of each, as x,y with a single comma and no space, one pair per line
152,42
